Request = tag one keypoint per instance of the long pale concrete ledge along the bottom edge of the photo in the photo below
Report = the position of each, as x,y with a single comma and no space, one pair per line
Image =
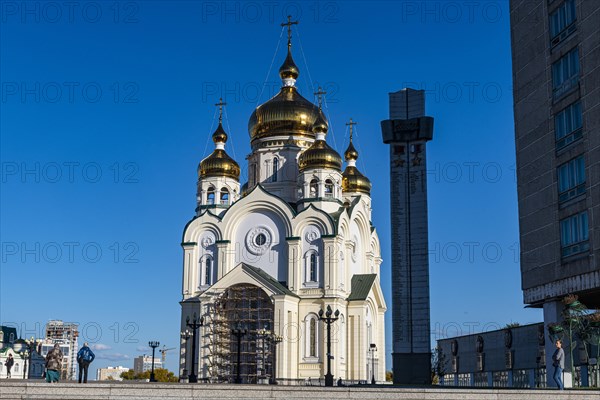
23,390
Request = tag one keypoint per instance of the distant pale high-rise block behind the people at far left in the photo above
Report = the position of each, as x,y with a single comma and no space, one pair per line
65,334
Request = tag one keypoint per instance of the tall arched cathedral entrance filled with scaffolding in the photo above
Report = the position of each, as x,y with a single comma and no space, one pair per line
242,322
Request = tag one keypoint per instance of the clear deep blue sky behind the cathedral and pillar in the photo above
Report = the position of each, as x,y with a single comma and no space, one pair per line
107,109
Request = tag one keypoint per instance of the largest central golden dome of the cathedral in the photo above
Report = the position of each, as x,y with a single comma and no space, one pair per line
286,114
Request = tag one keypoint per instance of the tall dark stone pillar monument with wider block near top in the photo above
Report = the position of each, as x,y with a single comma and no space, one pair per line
407,132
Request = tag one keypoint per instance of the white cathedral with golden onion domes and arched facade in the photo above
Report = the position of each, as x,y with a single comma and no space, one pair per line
262,260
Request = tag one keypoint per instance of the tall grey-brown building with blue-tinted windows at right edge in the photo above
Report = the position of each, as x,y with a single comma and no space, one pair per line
556,75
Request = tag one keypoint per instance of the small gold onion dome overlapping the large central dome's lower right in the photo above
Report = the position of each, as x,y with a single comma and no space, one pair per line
320,154
